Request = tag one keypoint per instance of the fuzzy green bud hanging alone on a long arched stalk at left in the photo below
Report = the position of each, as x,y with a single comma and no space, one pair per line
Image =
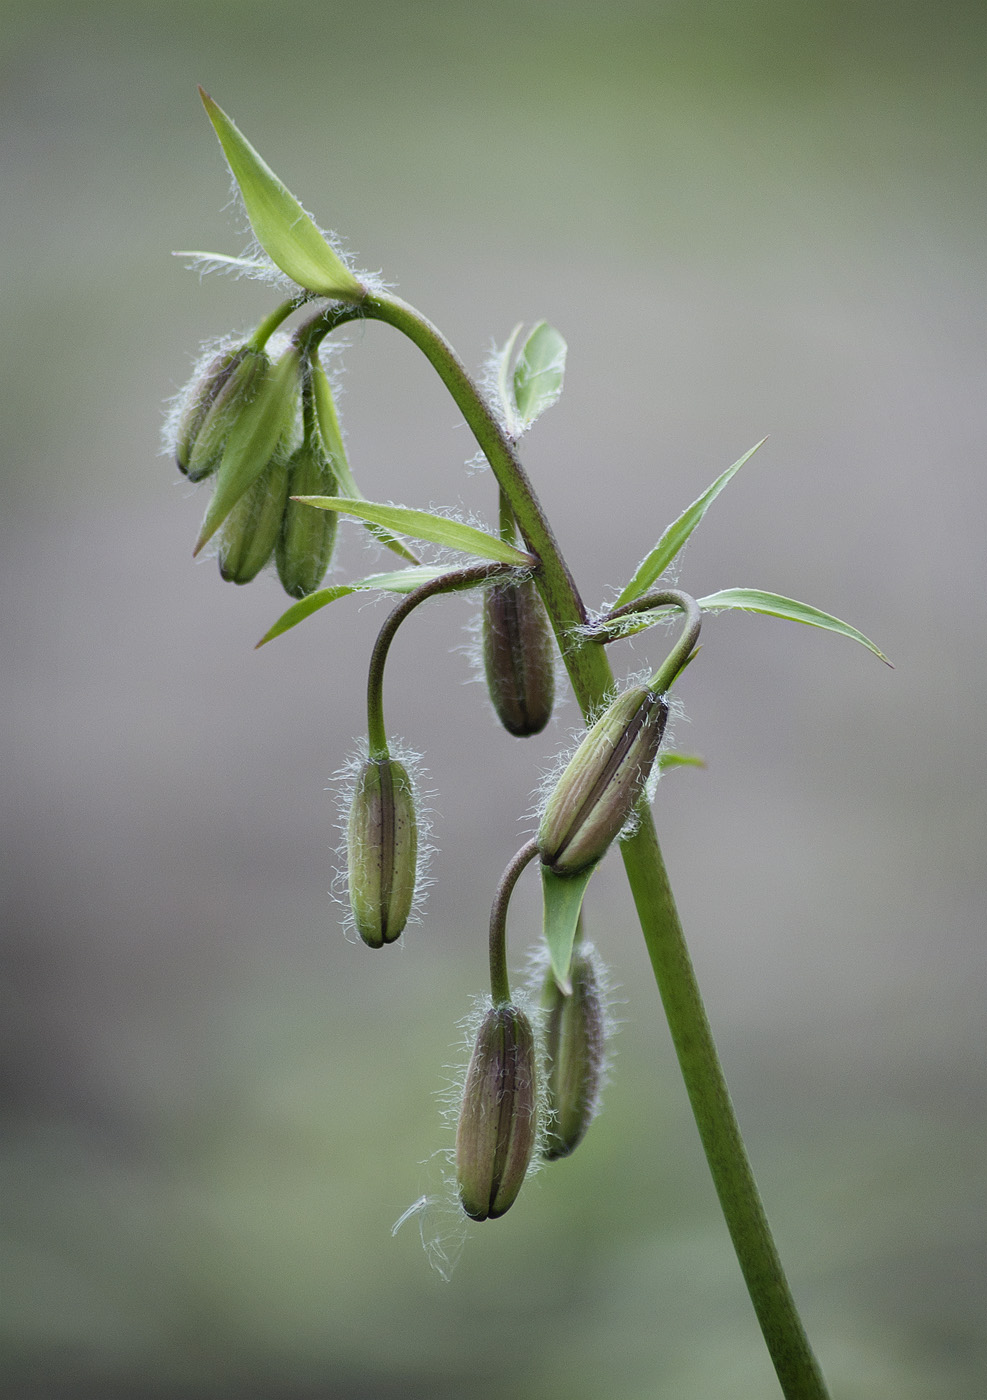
383,850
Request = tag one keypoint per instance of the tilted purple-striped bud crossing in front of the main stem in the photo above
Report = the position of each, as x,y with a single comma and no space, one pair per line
604,780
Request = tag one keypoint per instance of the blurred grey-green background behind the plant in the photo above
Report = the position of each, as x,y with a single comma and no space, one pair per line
745,219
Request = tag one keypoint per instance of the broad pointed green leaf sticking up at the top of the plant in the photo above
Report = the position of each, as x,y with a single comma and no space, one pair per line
282,226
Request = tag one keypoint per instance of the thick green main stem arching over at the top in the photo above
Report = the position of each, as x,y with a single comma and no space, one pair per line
591,677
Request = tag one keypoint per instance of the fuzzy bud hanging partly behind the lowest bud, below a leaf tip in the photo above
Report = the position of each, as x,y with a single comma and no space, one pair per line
575,1055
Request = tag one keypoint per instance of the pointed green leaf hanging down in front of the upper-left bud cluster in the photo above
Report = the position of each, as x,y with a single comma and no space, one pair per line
253,442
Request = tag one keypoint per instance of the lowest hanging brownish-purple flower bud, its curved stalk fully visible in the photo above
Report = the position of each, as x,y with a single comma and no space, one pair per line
499,1115
